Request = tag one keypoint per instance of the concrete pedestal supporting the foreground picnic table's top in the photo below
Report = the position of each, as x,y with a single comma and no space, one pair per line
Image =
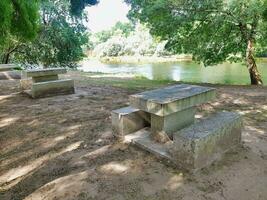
173,122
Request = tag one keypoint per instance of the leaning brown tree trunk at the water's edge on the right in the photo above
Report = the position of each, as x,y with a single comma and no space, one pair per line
255,76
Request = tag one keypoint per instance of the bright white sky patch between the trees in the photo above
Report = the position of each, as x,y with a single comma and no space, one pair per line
106,14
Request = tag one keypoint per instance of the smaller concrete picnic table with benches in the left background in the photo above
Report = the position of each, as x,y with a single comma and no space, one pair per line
44,82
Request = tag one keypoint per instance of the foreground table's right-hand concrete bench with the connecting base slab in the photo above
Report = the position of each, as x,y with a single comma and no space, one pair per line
196,146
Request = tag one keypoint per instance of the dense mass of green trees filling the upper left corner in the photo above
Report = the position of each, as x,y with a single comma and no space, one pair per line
43,31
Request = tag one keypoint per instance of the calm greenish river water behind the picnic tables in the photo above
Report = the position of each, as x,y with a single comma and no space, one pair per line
187,71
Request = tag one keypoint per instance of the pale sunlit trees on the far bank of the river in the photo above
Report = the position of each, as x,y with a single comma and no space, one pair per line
125,39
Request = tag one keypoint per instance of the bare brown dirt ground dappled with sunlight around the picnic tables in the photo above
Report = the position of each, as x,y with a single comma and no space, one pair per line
62,148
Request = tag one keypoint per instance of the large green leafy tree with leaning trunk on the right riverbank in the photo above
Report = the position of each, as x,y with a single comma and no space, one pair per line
213,31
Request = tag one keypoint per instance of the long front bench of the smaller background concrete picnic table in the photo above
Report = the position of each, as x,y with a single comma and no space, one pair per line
52,88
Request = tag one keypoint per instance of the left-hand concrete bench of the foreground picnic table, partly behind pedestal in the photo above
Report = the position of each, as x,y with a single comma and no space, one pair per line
128,120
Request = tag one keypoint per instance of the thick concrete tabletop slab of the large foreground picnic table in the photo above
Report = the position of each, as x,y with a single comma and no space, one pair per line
172,99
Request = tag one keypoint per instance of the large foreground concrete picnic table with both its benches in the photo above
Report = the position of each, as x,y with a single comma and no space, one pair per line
170,111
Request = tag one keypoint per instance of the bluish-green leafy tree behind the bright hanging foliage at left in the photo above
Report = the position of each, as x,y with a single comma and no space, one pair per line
60,39
